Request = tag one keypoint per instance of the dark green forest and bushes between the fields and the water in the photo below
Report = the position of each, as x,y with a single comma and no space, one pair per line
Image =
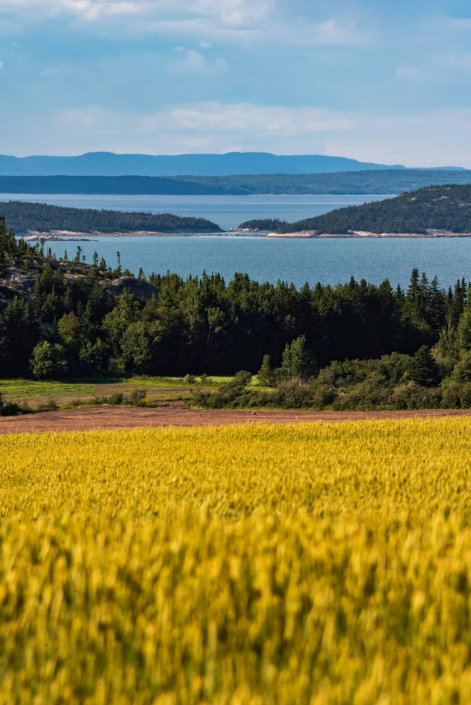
355,345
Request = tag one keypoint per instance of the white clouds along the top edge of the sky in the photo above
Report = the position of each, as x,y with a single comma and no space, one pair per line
208,20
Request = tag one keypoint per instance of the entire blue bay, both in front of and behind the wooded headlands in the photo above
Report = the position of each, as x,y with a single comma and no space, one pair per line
298,261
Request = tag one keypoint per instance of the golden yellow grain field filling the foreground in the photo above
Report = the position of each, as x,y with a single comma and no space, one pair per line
298,564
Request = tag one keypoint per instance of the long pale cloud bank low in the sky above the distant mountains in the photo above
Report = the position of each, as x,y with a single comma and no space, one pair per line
434,138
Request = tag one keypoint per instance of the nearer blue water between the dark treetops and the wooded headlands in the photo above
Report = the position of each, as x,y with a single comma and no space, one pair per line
298,261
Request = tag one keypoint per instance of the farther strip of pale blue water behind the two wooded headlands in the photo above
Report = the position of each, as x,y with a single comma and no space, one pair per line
226,211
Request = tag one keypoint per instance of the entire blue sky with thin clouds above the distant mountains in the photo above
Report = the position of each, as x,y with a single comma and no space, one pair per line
386,81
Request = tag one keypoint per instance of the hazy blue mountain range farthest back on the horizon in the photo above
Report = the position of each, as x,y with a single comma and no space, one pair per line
109,164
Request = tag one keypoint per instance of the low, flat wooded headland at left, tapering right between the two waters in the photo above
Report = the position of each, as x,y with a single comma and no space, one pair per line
23,217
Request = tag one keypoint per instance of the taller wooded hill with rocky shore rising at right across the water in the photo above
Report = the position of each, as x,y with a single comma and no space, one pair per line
435,207
